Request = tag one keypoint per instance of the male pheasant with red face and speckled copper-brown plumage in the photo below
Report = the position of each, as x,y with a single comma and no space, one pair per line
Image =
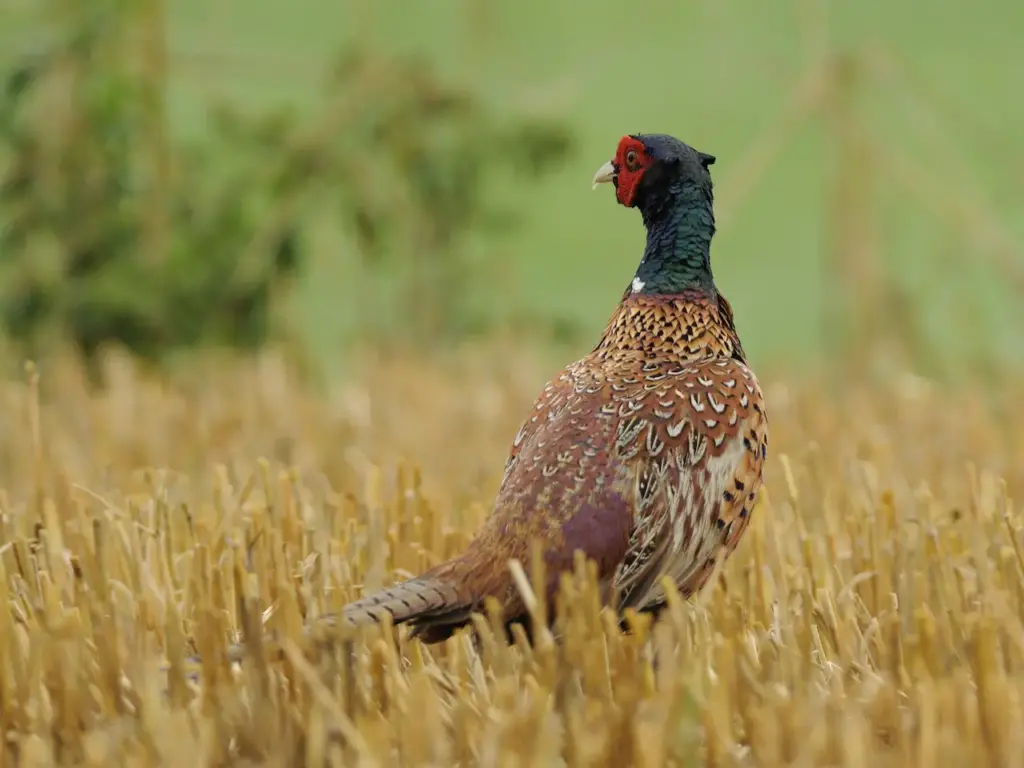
647,454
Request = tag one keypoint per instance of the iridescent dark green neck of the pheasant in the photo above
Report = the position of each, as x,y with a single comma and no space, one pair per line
680,225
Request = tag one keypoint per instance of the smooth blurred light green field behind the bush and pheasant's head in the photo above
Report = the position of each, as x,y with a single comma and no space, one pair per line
716,73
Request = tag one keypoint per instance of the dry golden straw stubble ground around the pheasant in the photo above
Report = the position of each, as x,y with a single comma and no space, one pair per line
871,618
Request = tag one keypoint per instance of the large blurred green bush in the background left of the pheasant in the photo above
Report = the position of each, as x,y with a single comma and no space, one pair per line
113,232
